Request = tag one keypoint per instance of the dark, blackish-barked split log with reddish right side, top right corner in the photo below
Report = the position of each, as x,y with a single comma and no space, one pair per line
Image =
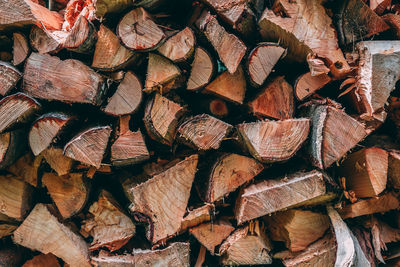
358,22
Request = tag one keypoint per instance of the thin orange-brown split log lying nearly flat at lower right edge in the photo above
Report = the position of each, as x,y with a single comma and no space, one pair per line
368,206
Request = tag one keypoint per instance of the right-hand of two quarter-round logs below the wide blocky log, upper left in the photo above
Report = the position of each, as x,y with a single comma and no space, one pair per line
89,146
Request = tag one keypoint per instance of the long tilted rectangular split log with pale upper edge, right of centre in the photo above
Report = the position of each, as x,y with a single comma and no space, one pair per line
274,195
